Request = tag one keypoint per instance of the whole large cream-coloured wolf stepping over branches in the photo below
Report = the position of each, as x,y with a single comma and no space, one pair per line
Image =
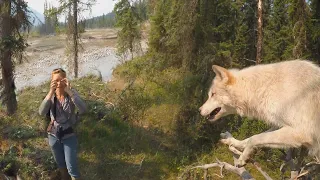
285,94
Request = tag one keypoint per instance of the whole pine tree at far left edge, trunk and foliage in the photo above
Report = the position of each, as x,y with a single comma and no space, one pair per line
13,19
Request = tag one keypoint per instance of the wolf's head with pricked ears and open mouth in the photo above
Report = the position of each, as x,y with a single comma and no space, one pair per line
219,102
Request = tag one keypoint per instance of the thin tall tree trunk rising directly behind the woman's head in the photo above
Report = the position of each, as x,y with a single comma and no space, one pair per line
75,37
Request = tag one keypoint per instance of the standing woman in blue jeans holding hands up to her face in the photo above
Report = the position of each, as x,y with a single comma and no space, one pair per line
61,102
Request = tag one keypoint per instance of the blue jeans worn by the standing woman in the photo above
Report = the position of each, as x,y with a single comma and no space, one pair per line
65,154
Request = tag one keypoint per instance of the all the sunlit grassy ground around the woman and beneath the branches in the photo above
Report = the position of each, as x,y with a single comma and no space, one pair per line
112,146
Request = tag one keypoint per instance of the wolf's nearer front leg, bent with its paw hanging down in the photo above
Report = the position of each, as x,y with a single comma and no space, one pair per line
285,137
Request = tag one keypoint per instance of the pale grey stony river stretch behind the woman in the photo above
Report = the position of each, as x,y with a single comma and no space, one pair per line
94,62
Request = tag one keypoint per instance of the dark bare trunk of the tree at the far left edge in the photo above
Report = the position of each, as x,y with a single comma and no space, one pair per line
8,95
